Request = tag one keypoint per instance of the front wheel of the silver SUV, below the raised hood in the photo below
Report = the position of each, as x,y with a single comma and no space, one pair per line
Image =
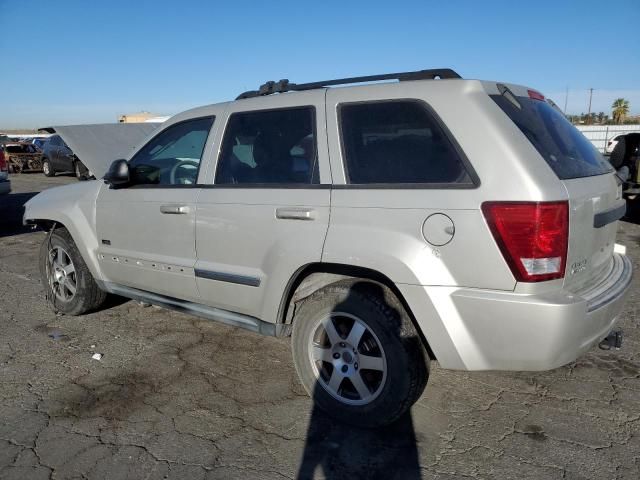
57,253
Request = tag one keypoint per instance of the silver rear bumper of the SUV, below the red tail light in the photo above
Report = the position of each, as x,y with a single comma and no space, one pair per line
472,329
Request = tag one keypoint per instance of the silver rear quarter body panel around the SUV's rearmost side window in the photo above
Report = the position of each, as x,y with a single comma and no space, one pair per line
381,228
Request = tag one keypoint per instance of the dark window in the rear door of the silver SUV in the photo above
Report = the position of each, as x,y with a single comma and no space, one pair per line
269,147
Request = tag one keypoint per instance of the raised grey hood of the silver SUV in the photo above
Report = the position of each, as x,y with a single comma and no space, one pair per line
98,145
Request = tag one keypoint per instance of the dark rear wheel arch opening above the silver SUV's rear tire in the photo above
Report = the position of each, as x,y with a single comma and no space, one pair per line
315,276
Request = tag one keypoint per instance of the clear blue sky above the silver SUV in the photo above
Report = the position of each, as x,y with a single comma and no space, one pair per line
73,61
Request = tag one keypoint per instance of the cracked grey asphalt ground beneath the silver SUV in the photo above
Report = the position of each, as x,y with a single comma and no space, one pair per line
178,397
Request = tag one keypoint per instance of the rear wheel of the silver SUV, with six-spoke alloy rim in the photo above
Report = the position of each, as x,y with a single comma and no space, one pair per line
389,344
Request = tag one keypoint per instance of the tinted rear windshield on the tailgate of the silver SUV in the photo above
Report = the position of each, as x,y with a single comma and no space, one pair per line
564,148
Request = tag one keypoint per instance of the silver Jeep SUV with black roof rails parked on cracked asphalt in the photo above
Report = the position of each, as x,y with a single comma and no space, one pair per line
381,225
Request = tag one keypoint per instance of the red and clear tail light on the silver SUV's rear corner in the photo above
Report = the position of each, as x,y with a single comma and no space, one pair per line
532,236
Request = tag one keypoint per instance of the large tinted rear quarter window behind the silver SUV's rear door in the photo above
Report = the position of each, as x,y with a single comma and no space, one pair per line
398,142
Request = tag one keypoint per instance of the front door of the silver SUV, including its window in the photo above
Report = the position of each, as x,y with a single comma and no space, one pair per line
146,231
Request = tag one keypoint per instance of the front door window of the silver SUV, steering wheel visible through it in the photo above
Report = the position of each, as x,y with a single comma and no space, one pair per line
173,156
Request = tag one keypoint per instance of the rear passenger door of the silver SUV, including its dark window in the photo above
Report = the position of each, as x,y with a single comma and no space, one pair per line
265,210
